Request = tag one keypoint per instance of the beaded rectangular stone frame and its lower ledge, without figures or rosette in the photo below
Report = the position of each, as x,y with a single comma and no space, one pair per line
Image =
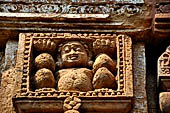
51,100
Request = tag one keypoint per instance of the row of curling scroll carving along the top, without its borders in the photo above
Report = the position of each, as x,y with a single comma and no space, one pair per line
112,9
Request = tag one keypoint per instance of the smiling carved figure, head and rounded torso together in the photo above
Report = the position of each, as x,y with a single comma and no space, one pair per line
73,55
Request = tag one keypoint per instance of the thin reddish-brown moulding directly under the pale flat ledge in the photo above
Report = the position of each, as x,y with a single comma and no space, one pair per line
55,25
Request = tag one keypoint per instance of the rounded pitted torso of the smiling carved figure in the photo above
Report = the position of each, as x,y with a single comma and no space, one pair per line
75,80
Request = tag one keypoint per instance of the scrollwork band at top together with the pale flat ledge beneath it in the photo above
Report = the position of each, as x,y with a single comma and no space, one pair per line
101,9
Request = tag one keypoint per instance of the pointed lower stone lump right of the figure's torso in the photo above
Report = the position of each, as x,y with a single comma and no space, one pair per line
103,78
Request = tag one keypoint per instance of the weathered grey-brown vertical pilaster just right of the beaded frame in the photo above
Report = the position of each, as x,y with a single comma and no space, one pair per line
139,69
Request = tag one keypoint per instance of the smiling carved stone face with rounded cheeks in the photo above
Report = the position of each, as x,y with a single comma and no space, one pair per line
74,54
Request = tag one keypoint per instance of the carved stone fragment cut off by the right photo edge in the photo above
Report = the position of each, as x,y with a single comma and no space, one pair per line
164,80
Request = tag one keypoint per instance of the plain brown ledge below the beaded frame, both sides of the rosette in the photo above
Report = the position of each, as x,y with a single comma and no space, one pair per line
56,106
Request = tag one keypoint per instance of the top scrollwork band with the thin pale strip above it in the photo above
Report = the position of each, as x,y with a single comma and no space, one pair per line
113,7
